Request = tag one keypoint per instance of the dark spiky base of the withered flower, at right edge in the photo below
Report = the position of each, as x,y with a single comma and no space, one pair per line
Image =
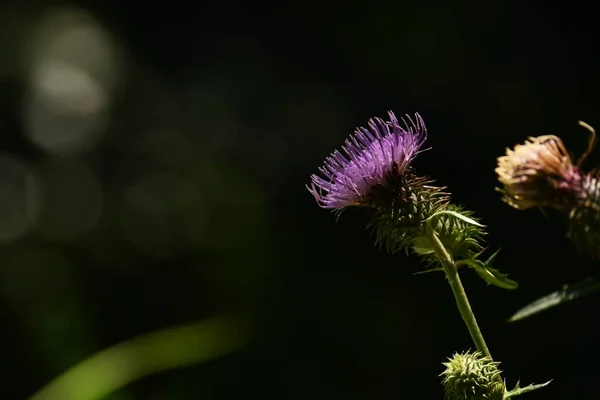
584,218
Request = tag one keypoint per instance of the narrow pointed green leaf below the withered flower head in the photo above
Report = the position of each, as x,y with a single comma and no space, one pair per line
564,295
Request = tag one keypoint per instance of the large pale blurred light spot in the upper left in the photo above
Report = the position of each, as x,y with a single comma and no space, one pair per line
73,73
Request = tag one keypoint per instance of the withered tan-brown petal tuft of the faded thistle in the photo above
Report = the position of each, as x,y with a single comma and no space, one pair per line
538,173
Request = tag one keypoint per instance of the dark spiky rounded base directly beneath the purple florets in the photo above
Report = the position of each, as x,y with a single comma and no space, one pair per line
401,208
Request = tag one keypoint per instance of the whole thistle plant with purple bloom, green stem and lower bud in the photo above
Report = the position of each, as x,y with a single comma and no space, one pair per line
410,212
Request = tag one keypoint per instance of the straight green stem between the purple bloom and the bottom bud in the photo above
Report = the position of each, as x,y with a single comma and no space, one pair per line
460,295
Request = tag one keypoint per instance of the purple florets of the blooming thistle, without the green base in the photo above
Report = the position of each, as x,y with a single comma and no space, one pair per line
370,158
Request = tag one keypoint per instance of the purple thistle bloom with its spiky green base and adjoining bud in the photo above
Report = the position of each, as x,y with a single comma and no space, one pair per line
375,171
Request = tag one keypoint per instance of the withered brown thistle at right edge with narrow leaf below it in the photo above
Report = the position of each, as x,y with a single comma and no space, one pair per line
541,174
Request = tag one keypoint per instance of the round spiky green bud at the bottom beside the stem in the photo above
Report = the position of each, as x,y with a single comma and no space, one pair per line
471,376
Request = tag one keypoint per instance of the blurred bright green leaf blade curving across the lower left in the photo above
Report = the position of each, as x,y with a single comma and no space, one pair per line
101,374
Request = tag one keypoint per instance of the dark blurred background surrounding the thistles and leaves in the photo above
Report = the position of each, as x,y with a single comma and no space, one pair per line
152,171
